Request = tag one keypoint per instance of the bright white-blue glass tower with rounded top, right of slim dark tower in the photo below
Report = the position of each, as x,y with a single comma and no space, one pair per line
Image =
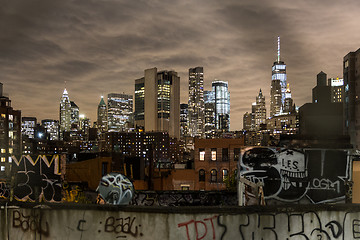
222,105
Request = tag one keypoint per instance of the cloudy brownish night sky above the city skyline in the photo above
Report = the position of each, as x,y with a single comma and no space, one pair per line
98,47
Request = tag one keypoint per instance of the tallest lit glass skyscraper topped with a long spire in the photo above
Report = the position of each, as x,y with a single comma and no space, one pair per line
278,85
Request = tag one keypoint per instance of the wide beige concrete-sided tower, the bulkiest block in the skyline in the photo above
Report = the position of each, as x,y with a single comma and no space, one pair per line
157,102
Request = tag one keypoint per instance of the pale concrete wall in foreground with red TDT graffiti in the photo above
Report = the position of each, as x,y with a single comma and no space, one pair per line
58,221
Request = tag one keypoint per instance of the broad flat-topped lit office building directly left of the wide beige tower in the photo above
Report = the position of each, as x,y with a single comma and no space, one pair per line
119,110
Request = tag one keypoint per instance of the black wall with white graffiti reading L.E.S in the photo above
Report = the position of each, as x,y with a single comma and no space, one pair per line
298,175
